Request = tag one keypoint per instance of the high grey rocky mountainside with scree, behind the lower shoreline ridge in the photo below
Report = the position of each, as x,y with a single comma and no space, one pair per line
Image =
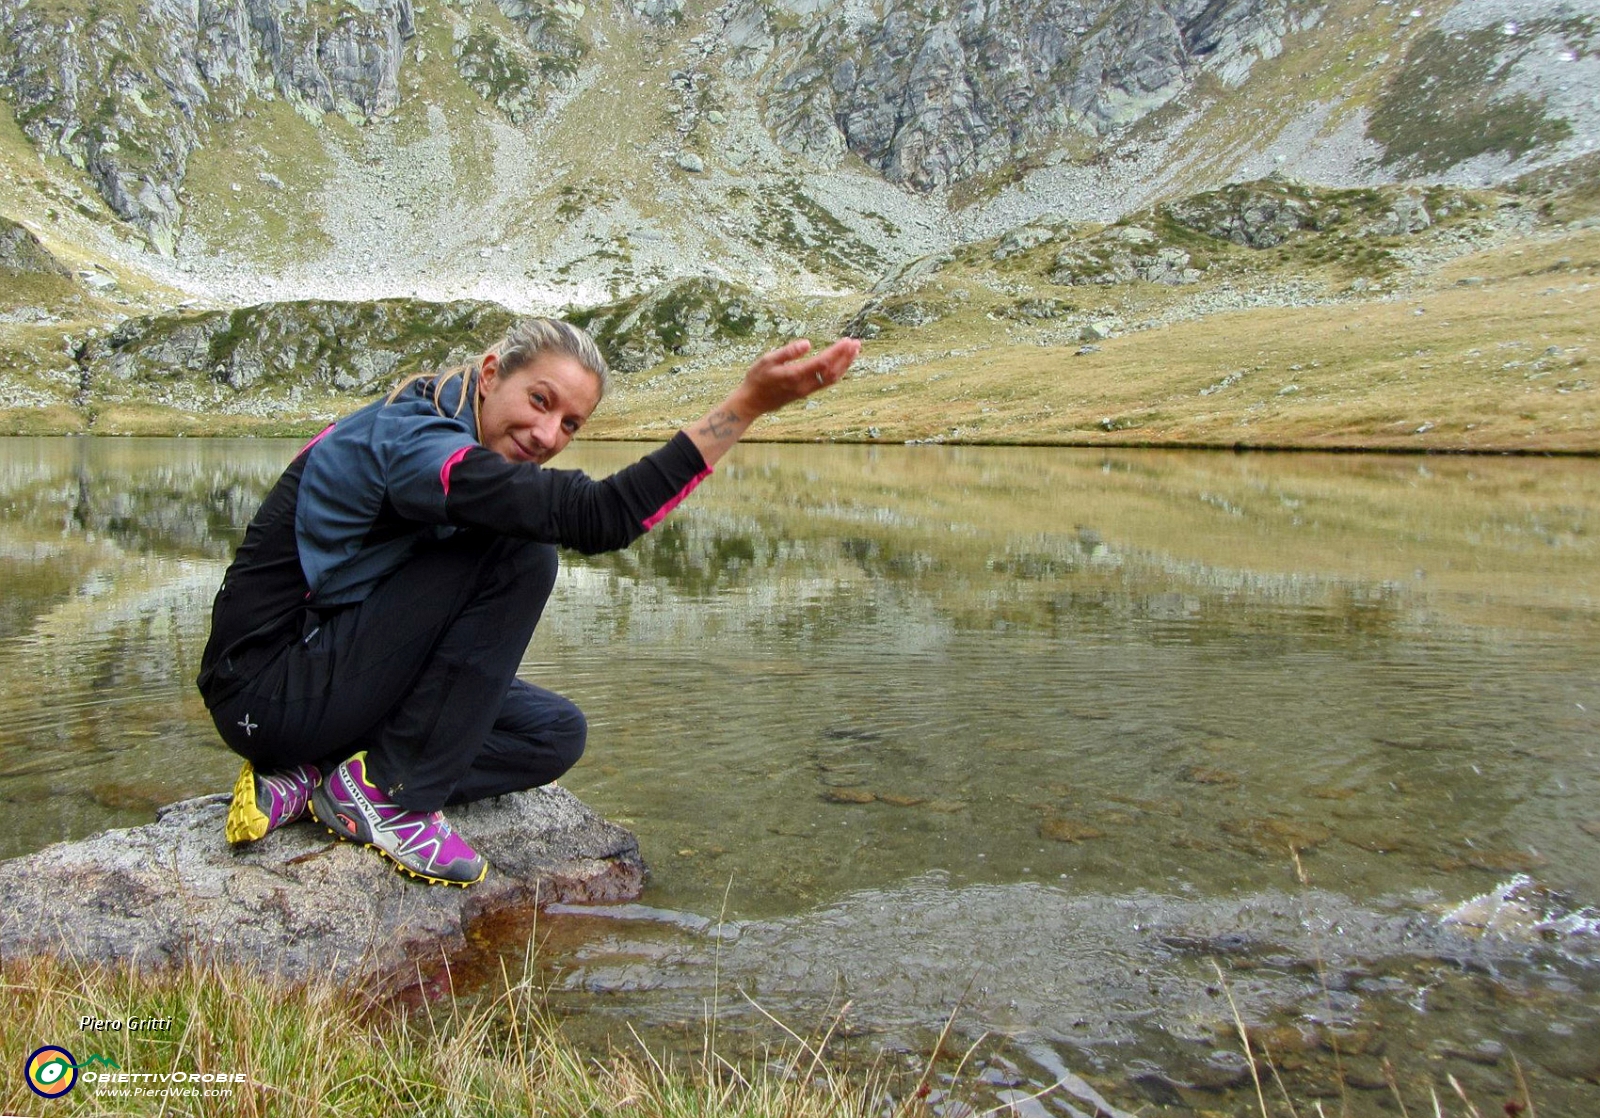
556,153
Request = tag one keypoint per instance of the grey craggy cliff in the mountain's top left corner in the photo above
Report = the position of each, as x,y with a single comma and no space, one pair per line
127,95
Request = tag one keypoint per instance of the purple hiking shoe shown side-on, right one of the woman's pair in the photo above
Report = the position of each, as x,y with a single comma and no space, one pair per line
423,844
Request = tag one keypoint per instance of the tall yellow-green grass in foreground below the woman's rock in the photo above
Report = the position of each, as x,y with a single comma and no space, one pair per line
321,1050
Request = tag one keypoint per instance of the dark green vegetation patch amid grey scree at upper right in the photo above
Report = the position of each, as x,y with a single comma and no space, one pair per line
1446,106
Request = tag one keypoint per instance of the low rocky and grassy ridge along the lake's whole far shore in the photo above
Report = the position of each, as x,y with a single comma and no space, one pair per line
1260,314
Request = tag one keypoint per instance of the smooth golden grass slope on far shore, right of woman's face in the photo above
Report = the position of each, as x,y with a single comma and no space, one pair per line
1502,365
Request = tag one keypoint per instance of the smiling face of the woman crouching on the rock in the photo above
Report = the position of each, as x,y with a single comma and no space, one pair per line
532,413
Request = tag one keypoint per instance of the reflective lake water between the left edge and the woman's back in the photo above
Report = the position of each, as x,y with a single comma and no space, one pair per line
111,554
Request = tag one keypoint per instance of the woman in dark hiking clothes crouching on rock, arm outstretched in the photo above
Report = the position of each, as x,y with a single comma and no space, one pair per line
366,642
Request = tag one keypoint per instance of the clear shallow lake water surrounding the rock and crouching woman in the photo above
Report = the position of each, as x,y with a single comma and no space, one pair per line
1039,732
